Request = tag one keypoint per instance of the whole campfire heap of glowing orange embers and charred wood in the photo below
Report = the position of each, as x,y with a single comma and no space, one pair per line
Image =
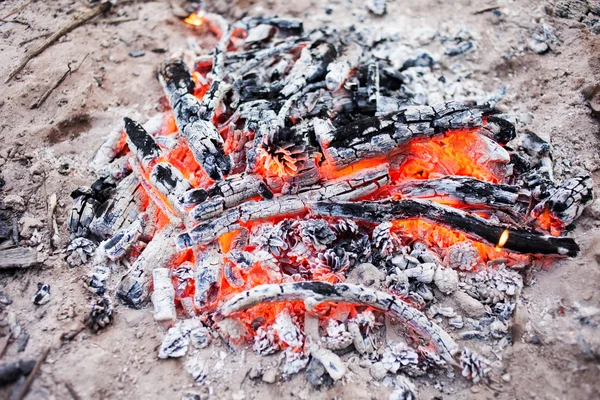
294,196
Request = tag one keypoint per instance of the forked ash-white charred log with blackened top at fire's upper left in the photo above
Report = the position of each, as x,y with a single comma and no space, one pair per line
193,119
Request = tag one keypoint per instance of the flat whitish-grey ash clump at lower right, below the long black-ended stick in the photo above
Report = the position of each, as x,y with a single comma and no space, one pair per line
492,285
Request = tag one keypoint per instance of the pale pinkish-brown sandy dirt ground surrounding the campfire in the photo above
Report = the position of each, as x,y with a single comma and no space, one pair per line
46,150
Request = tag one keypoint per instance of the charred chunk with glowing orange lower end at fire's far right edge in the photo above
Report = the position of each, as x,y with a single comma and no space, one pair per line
565,204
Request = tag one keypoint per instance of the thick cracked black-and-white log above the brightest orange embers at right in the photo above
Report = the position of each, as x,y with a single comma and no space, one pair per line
384,135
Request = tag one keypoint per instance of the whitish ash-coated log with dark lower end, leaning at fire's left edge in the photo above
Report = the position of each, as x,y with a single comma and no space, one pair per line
133,290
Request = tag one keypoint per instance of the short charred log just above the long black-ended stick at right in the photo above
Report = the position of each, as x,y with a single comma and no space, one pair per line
470,192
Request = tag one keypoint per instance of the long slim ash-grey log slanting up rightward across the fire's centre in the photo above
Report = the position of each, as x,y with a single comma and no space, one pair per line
345,188
